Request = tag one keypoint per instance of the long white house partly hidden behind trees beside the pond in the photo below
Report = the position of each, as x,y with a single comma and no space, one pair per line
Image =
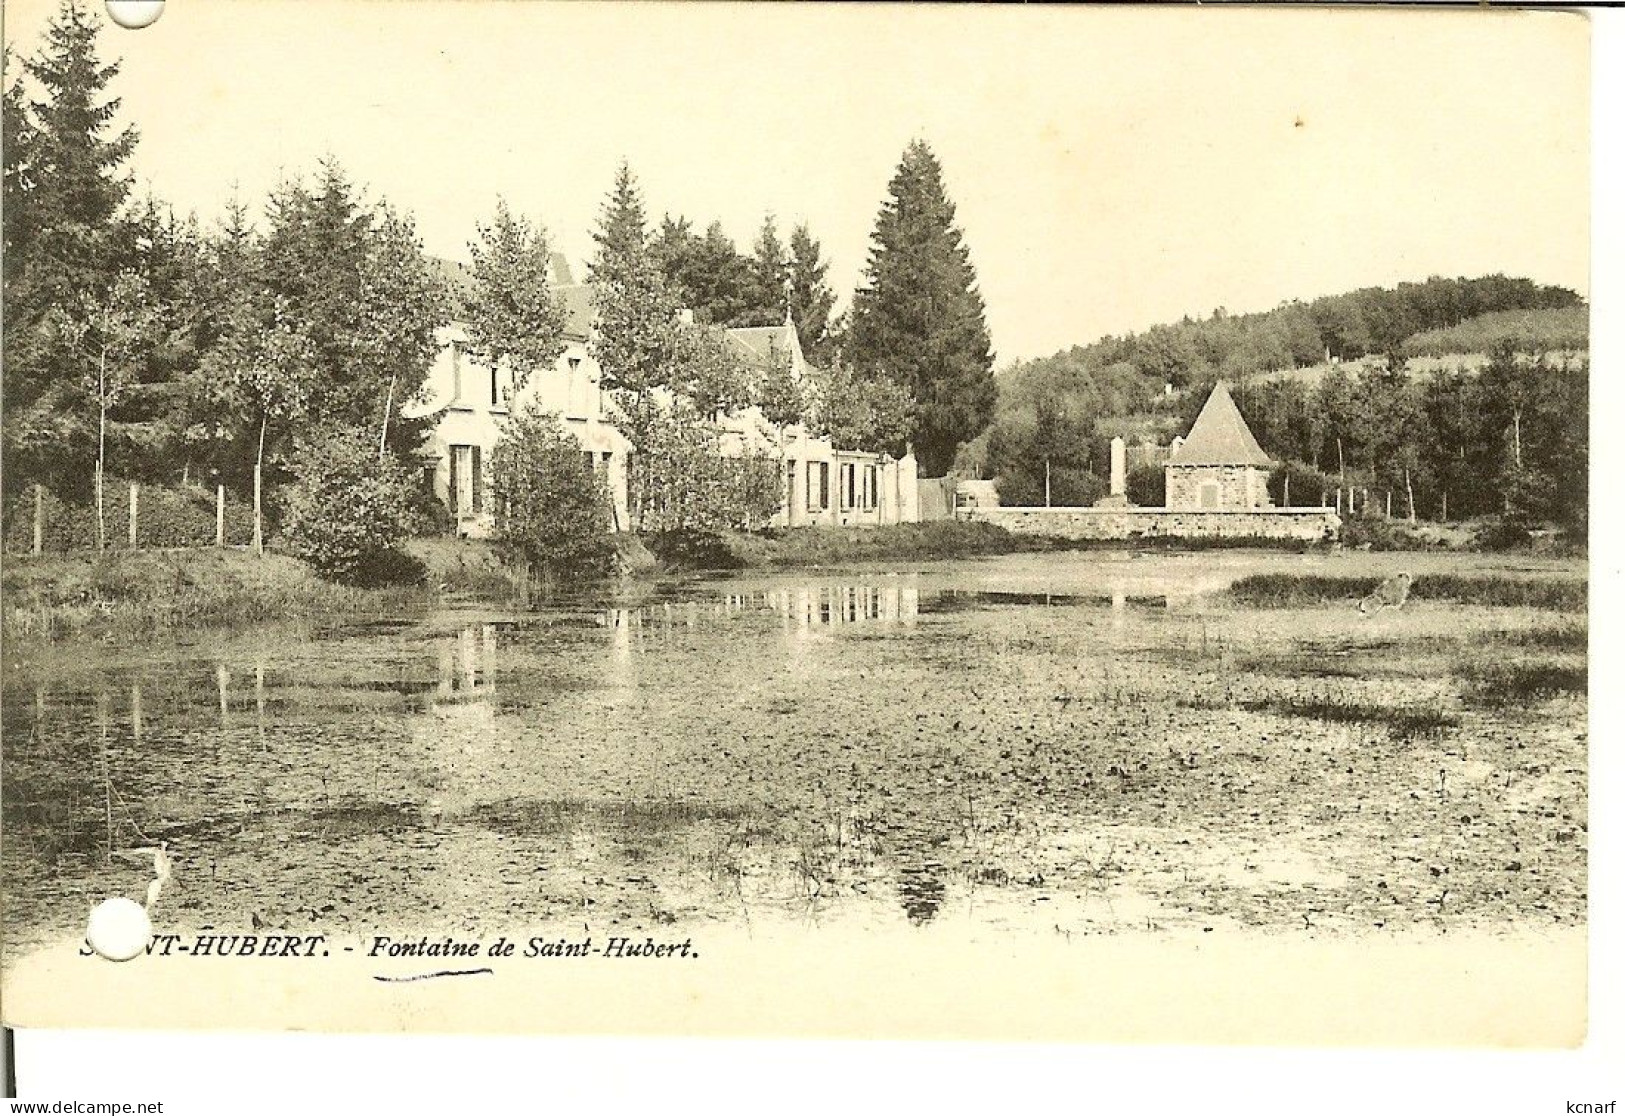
470,402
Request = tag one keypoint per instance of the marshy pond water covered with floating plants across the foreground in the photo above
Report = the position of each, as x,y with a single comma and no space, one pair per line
1057,745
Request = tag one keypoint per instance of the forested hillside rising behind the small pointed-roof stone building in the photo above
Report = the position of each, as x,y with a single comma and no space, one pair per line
1462,397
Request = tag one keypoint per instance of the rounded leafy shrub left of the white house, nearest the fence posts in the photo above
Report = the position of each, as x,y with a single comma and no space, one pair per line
347,511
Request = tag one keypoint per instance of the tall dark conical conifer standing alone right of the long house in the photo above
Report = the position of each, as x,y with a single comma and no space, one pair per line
919,316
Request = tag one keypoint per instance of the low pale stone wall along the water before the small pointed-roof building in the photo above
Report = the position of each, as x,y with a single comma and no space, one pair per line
1309,526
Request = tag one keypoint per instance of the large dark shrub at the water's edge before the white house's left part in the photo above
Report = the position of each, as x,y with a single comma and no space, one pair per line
552,509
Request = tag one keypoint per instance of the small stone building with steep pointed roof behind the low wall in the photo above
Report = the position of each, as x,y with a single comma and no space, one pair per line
1220,467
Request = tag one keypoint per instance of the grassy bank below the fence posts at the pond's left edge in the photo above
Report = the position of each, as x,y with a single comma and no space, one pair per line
147,594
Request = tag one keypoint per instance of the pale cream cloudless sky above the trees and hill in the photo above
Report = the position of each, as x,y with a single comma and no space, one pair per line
1112,168
